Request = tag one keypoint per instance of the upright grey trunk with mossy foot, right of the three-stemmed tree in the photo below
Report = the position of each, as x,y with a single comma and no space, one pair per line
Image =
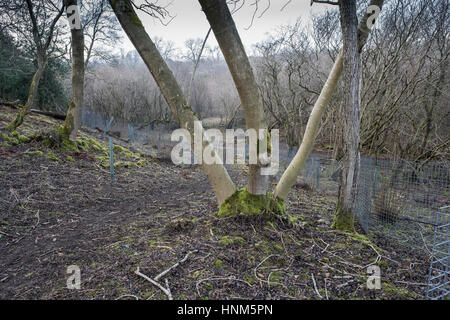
344,216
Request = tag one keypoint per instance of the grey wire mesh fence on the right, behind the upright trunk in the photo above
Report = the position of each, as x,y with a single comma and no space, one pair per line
396,199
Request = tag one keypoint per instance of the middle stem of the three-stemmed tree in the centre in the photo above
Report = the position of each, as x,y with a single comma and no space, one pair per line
227,36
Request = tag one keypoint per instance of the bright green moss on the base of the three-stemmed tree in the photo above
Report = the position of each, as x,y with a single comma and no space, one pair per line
242,202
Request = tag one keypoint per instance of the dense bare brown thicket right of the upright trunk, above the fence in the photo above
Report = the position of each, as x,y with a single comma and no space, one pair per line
404,100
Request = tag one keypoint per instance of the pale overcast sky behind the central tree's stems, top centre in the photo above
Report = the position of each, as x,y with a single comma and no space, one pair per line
190,22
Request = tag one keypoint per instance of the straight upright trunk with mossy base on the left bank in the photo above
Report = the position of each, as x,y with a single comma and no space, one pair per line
72,122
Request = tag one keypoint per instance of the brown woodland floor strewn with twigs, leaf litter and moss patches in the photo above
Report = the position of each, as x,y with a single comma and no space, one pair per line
58,208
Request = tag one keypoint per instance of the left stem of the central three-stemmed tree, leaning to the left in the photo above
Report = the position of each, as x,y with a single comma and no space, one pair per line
217,174
